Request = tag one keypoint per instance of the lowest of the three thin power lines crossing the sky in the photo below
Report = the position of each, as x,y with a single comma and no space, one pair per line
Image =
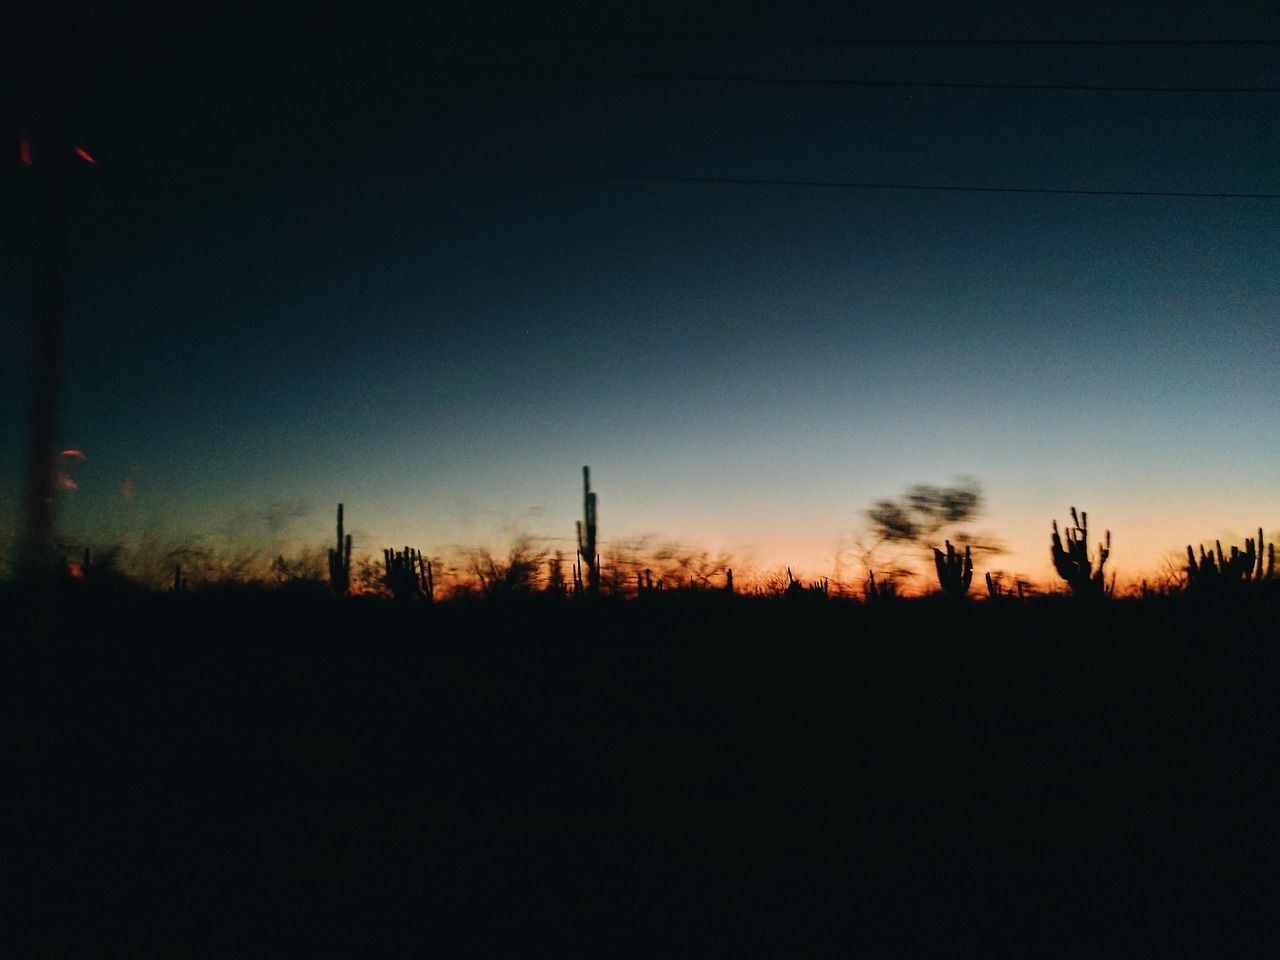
836,185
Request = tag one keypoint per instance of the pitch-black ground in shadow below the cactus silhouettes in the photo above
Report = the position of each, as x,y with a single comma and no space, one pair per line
269,778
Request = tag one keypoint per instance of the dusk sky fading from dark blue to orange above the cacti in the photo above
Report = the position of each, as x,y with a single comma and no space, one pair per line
312,267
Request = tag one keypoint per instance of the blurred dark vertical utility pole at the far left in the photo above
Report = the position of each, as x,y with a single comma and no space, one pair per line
49,159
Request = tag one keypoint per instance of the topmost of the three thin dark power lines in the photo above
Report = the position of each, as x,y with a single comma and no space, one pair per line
861,40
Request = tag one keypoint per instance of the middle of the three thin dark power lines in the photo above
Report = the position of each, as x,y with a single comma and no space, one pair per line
575,74
